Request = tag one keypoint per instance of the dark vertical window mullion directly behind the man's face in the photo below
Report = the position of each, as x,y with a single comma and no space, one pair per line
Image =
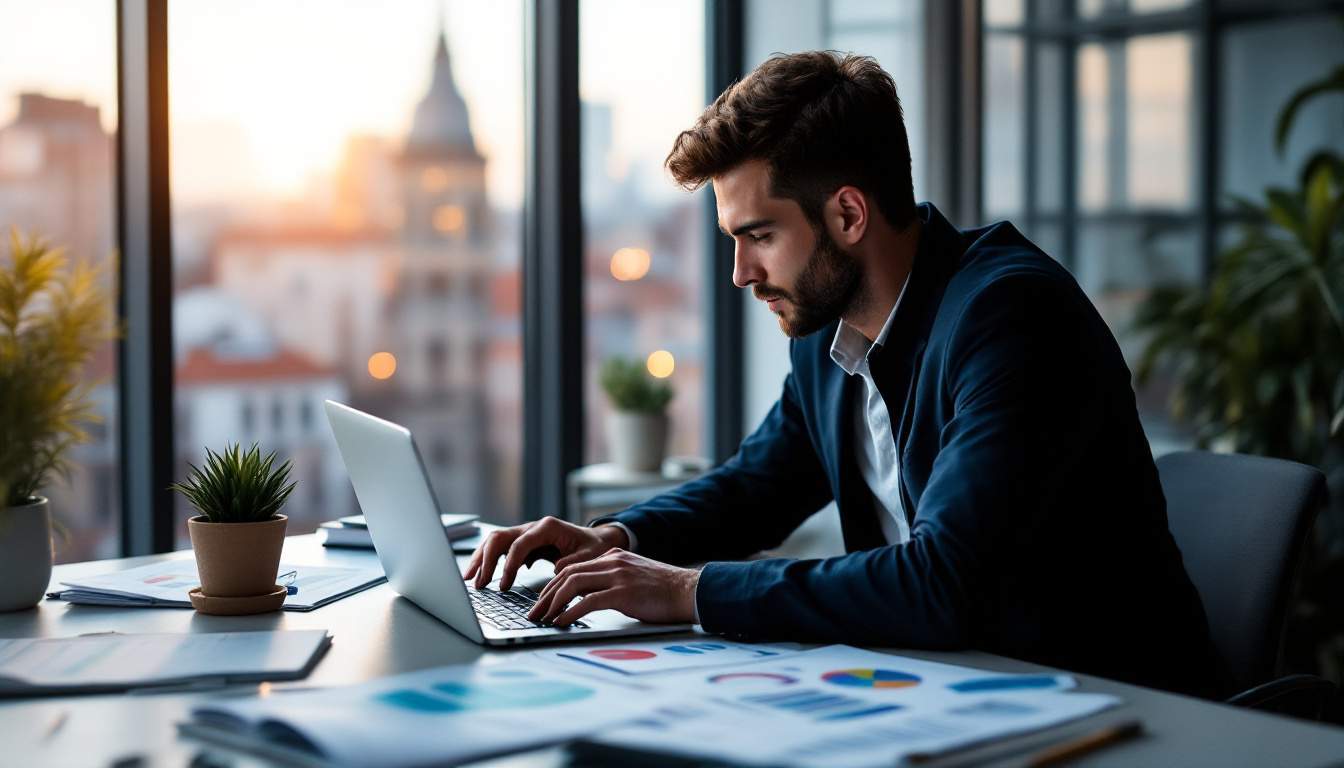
724,338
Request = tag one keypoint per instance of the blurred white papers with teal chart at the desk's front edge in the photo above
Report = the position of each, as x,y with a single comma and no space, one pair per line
433,718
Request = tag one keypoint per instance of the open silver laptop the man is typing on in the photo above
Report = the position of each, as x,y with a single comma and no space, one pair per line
403,514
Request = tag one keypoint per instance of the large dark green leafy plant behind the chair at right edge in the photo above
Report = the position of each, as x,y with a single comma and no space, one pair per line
1257,358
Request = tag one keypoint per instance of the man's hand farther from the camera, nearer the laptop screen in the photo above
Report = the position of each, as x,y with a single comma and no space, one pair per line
522,544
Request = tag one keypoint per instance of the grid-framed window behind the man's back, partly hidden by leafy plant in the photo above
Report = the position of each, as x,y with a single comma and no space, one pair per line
1109,174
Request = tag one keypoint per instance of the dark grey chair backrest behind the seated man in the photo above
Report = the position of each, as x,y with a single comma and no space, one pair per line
1241,523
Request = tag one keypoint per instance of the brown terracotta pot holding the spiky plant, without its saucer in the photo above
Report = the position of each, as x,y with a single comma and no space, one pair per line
237,560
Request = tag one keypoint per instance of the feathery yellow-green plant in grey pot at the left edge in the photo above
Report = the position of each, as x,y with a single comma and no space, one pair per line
53,317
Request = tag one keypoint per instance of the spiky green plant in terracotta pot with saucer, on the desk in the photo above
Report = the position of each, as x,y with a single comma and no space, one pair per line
240,532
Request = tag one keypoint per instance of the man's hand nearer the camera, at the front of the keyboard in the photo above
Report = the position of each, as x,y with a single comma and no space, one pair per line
635,586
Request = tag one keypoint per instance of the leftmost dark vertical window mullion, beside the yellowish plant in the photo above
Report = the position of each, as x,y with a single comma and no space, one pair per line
144,303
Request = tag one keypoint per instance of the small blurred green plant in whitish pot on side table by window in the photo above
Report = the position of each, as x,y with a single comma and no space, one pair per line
638,424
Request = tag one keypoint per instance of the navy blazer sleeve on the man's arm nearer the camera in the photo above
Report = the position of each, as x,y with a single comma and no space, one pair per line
1010,403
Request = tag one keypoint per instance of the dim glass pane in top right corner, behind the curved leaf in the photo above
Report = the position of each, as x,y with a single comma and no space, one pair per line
1255,91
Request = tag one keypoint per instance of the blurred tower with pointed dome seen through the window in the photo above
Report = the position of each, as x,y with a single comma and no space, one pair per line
440,317
